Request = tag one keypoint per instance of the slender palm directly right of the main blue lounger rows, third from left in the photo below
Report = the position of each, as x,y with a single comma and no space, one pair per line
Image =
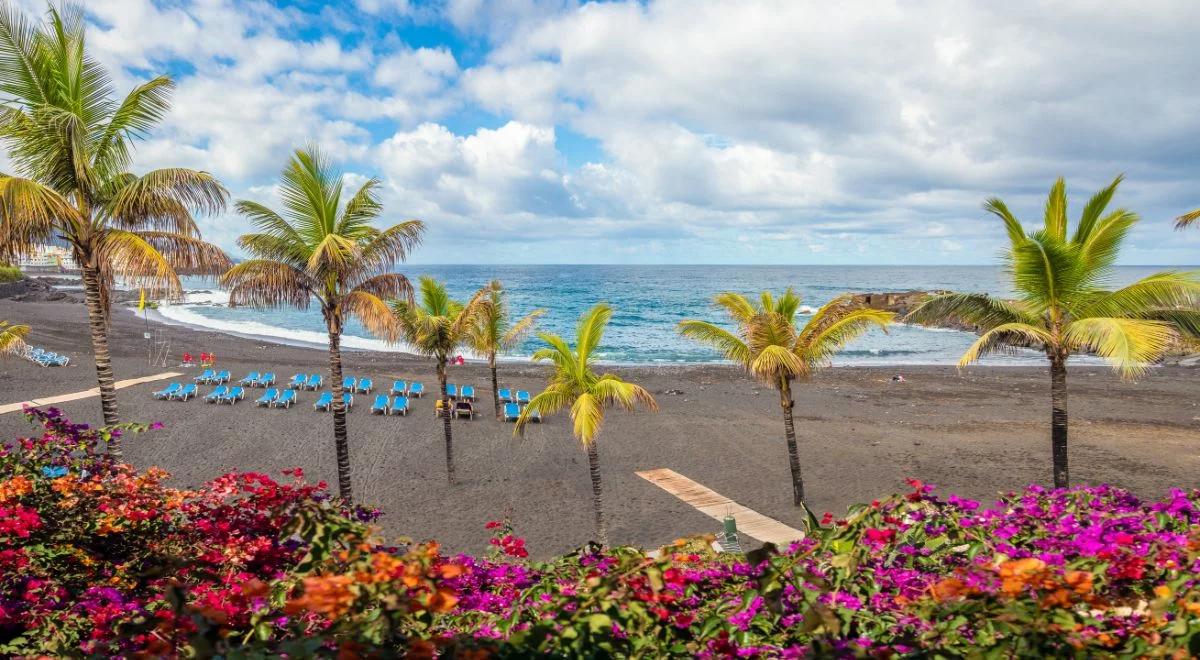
436,329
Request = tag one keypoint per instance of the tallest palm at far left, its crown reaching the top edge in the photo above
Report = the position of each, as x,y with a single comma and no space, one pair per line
71,146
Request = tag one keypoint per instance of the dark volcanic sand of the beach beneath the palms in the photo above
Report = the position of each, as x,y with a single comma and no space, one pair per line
975,434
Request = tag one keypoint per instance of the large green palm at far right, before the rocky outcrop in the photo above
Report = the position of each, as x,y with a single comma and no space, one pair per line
1064,305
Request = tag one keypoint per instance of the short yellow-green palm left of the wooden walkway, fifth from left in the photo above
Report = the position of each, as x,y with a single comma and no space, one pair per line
574,383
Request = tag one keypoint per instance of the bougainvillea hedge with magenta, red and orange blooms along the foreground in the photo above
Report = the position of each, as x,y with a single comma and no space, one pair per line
98,559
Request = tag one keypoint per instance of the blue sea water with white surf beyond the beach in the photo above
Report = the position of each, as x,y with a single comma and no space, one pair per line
649,302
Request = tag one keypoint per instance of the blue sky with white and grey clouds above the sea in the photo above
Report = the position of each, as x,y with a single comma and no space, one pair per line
685,131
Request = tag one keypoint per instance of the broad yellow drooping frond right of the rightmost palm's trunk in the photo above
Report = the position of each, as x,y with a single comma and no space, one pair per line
1129,345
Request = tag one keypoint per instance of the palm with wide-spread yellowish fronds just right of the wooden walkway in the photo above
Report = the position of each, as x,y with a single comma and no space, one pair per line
772,350
